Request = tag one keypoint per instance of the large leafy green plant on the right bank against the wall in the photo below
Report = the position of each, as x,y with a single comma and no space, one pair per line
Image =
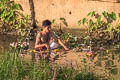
100,28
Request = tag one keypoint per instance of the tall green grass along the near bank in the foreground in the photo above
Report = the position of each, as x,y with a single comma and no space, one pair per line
14,68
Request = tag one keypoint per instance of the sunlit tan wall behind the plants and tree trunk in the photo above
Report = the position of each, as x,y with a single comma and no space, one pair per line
71,10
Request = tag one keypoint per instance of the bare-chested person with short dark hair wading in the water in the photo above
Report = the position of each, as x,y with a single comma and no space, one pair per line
46,37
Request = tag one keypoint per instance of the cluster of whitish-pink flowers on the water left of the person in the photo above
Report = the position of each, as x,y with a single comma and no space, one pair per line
20,45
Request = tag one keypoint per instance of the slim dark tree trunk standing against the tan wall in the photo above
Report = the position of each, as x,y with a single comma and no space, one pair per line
31,3
